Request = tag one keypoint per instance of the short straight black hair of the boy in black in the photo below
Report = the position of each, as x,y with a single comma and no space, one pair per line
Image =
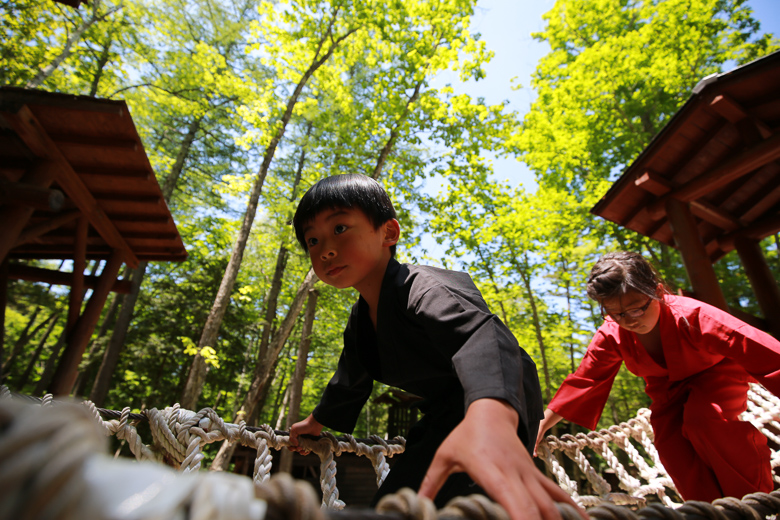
344,191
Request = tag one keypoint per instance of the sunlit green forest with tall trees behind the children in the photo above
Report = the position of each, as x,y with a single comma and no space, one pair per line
242,105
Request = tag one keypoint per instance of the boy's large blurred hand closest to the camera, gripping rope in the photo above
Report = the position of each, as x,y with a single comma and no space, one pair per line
486,446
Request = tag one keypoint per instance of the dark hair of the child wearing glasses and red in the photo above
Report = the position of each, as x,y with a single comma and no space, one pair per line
617,273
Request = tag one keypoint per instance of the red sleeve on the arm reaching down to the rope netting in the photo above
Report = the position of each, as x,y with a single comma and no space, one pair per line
582,396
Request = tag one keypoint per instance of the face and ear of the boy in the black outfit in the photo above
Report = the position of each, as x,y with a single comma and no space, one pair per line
346,250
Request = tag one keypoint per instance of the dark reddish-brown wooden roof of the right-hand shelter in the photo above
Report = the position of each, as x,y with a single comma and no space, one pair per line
719,152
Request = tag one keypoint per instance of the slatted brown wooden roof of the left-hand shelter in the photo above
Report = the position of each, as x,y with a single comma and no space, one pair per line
98,164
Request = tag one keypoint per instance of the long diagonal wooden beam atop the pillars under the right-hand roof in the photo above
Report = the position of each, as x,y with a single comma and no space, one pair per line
744,163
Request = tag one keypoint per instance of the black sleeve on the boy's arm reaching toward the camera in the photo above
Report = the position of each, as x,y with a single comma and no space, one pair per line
486,356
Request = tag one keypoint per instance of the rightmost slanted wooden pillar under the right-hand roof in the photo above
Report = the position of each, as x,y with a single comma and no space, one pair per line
761,279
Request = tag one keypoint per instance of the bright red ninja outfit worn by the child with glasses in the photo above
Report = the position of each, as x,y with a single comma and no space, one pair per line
697,398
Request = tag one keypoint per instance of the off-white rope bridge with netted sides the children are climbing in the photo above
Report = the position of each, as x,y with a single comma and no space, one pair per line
52,466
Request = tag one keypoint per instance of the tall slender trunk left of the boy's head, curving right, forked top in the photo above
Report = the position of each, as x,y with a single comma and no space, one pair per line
198,369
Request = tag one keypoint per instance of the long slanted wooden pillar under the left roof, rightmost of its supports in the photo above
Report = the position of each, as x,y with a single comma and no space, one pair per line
67,370
